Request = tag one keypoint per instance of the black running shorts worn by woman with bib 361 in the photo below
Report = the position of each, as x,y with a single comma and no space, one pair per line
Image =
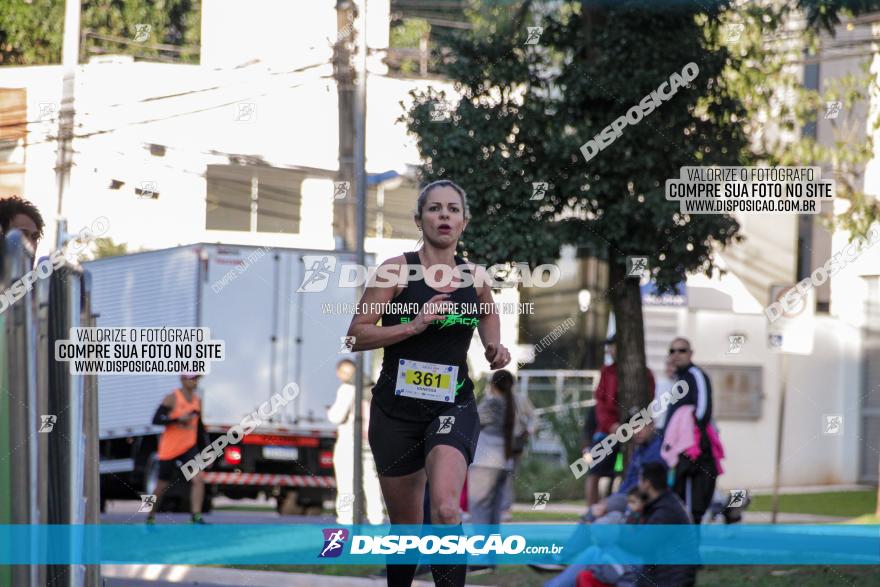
400,447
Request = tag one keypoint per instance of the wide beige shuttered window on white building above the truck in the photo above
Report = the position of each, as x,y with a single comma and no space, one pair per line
253,199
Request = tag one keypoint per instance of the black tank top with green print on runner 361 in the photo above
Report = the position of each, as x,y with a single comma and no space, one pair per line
444,341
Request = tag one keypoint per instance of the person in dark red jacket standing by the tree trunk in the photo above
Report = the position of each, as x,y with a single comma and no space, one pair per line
607,419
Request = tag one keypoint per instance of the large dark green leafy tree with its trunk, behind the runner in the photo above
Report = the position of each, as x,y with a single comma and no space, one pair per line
526,111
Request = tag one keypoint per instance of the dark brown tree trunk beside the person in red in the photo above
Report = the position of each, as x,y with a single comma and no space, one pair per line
626,300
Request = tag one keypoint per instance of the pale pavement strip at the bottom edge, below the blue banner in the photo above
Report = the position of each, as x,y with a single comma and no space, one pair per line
186,576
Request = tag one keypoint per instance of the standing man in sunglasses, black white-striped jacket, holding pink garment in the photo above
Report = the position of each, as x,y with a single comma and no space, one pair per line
694,478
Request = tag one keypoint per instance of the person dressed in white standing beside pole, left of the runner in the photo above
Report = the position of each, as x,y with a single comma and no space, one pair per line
341,413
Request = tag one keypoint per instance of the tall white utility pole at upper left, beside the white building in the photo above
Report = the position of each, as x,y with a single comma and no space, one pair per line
64,158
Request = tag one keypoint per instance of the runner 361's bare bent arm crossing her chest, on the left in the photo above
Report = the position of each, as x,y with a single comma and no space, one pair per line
364,328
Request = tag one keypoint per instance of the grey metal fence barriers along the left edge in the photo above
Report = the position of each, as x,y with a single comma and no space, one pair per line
48,416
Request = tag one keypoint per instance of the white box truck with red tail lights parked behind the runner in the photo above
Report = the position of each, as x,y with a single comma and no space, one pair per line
273,334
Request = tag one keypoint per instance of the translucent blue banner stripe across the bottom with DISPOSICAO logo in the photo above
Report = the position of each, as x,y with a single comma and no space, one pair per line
291,544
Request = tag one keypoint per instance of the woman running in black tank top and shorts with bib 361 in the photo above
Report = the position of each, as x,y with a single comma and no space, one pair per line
423,418
